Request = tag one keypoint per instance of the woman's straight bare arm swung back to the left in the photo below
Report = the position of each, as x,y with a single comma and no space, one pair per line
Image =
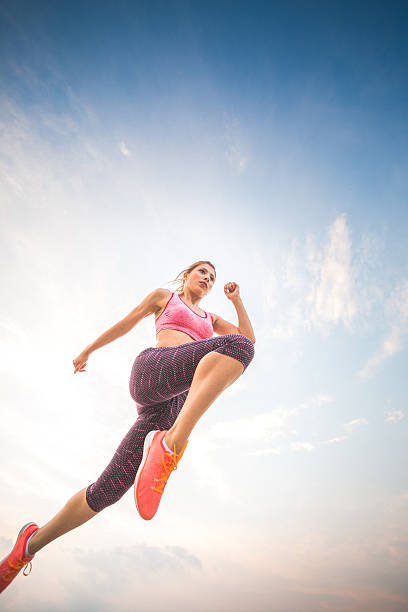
148,306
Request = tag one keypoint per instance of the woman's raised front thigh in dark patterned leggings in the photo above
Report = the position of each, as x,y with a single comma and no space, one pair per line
159,374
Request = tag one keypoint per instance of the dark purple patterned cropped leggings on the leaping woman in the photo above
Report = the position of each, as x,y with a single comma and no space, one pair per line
159,383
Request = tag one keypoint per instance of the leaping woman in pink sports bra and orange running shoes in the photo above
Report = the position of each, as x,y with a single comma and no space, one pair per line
172,385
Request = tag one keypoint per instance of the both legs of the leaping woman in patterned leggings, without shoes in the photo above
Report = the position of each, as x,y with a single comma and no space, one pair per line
203,369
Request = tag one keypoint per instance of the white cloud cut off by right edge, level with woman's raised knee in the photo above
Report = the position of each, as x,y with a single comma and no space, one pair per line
397,311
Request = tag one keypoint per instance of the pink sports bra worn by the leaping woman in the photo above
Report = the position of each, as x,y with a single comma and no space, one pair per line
178,315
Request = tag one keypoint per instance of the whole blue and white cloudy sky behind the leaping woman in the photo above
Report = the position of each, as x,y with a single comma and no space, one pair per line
271,139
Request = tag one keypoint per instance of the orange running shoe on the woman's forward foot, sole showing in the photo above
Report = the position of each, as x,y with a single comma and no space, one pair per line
155,468
